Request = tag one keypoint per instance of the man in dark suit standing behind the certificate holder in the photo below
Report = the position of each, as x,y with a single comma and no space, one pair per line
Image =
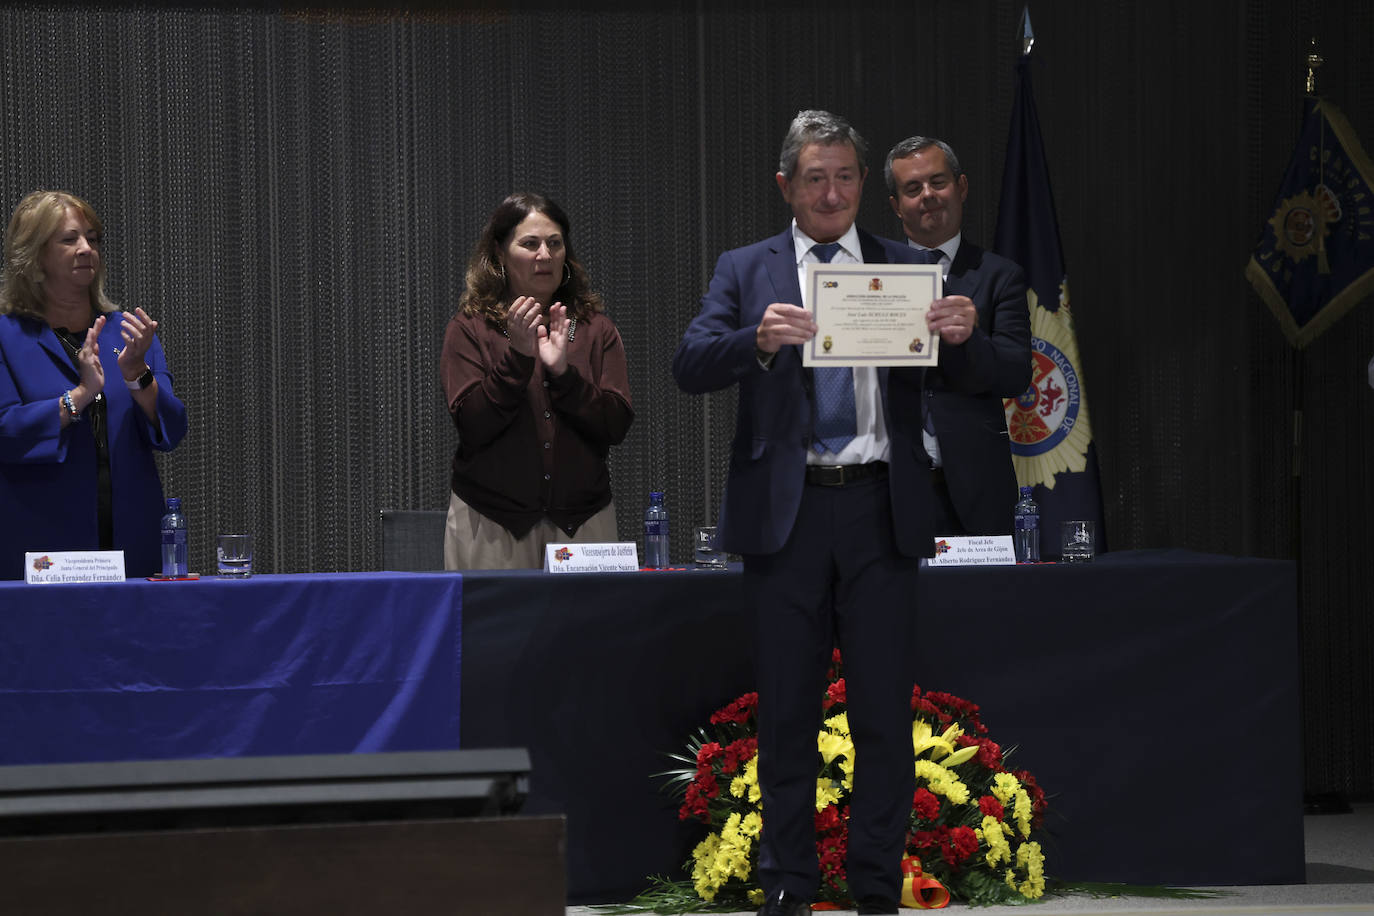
967,428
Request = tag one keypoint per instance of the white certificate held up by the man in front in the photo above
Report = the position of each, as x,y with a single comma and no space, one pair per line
872,314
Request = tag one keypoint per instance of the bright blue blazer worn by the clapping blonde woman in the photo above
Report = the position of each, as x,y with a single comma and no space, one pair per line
49,474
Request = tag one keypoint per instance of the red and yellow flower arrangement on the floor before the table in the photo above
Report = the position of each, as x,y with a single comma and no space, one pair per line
972,825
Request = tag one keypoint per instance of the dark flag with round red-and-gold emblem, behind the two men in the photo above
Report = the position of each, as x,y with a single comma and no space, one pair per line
1052,437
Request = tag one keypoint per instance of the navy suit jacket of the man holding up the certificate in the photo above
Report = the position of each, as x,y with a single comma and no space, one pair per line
773,428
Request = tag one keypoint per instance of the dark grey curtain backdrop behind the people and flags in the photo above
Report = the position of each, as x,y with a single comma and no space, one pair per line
295,194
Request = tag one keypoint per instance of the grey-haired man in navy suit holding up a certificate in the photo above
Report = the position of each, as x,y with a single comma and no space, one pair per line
832,503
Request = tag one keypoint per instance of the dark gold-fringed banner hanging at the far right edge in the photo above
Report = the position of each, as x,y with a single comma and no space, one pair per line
1316,256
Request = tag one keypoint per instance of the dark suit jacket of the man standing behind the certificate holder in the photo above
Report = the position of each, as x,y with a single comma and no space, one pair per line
968,388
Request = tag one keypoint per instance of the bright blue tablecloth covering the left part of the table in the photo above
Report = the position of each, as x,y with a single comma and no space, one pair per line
218,668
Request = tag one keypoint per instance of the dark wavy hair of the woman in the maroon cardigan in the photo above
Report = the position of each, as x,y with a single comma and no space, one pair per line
487,290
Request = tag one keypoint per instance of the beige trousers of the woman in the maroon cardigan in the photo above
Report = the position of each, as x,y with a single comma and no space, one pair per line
473,542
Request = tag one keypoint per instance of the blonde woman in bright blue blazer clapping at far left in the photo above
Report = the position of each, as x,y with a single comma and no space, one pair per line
86,396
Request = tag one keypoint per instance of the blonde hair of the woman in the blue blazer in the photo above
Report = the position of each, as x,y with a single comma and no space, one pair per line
35,222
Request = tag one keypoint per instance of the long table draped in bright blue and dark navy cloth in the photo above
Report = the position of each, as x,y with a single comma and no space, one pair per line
1155,696
